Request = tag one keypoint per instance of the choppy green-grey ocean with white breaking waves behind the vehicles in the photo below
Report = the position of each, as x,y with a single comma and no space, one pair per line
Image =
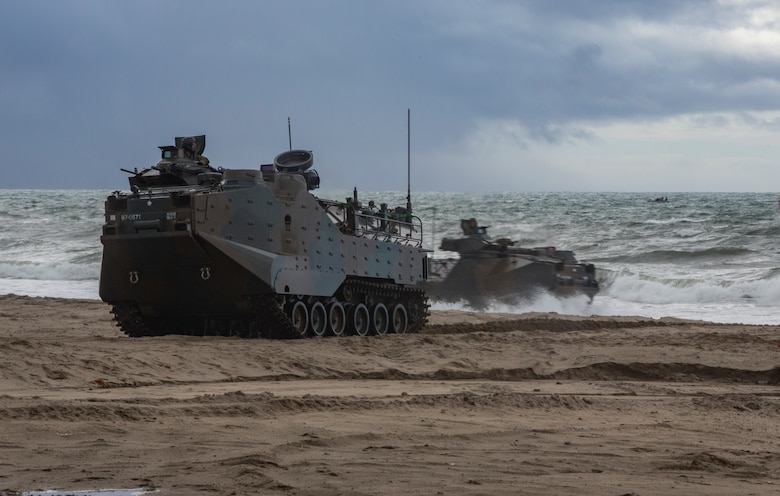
707,256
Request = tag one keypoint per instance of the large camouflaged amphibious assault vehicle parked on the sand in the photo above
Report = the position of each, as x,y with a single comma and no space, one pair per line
194,249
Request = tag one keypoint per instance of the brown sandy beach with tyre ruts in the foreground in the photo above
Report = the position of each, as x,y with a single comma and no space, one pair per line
538,404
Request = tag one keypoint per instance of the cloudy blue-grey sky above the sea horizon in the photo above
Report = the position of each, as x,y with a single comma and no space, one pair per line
534,95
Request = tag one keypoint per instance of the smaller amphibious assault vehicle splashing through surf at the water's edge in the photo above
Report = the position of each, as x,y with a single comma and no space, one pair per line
489,270
